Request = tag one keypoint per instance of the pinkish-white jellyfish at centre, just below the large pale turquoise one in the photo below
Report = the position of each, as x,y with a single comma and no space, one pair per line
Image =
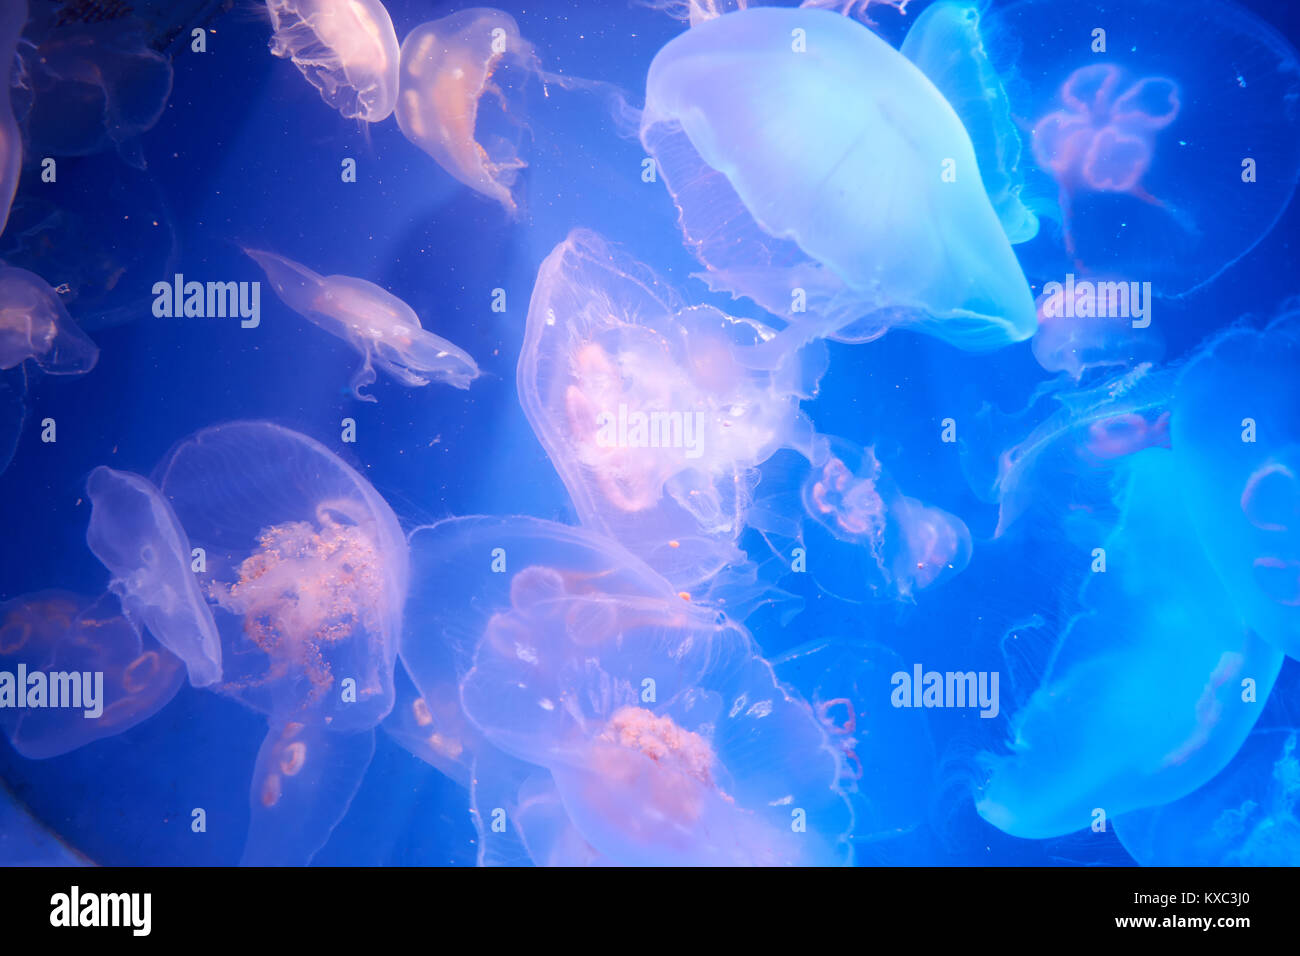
652,413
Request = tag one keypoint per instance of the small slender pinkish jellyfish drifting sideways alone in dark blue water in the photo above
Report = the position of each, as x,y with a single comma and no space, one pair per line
374,322
